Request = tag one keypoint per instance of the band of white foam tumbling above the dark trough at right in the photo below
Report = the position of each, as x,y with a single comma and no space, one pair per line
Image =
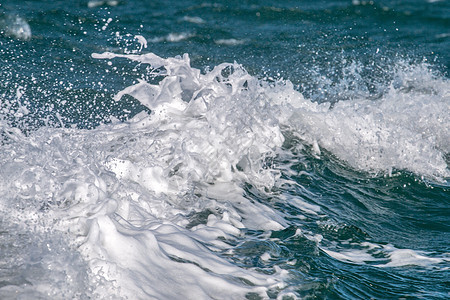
407,129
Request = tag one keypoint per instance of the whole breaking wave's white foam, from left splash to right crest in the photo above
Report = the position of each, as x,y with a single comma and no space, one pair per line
145,208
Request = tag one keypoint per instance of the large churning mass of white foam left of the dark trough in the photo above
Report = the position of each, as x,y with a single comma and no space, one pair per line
127,192
